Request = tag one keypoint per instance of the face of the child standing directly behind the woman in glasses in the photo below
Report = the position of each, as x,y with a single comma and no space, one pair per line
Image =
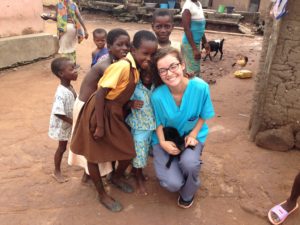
162,27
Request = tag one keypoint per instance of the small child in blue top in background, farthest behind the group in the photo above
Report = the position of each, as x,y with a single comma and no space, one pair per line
99,37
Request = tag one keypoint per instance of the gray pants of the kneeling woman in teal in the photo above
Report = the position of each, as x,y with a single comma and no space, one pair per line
183,175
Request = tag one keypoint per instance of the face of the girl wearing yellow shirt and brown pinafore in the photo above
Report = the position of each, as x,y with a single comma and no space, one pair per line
144,53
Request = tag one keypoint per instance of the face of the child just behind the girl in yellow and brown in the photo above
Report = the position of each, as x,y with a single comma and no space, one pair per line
120,47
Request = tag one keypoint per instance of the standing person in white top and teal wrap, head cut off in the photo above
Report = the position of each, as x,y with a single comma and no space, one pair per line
193,22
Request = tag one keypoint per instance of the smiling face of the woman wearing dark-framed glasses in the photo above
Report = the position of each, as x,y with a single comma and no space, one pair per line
170,70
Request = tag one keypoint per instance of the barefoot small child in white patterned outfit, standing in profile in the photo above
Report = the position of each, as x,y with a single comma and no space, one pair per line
61,115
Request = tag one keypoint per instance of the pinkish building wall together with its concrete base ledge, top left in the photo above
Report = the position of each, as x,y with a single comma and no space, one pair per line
21,33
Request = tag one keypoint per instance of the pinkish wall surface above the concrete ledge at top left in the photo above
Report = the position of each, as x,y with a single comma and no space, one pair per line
20,17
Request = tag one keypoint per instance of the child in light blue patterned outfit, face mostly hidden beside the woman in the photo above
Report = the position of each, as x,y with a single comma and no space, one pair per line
142,123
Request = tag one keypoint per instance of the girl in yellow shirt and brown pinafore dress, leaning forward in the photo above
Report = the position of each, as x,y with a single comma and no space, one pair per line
101,134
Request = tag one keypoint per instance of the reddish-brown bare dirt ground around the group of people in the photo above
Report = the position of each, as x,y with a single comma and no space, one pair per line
240,181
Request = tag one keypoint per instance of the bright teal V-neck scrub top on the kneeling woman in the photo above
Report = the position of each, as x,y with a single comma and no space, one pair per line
196,103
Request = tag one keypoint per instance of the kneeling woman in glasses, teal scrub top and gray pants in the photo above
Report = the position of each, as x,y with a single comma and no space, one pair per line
184,104
